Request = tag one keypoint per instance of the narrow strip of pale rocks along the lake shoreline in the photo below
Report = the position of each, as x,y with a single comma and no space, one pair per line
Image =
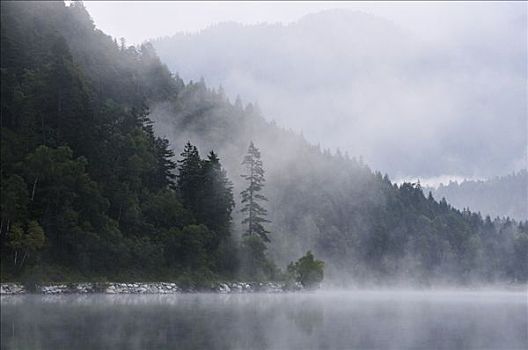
146,288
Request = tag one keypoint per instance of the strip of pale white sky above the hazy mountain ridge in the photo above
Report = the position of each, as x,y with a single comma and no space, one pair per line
138,21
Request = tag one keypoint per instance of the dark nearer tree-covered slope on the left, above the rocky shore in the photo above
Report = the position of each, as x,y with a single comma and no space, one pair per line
87,187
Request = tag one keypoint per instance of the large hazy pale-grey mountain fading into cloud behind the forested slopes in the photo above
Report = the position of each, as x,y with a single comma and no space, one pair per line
361,83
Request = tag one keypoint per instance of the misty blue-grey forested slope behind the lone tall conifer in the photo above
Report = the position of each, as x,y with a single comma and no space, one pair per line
365,227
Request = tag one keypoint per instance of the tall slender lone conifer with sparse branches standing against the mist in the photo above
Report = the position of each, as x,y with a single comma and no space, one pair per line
251,195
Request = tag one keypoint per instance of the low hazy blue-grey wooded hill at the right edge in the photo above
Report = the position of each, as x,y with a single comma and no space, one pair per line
504,196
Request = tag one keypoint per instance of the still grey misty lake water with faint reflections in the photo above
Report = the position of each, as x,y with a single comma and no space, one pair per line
321,320
